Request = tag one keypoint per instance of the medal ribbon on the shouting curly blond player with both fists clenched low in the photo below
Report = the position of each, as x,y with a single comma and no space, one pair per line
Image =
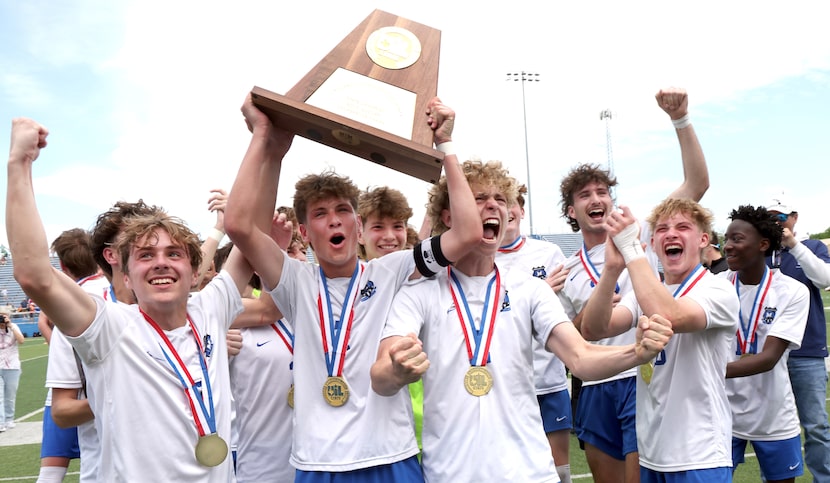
473,336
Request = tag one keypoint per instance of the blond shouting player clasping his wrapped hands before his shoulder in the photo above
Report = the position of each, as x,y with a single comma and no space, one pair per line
683,417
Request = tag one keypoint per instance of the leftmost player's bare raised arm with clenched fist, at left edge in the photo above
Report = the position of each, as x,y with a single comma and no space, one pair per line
72,309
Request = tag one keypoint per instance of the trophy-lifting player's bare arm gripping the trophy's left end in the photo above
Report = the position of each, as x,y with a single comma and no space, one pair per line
252,199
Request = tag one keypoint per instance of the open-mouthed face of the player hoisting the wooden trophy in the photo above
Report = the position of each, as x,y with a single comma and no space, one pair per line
332,228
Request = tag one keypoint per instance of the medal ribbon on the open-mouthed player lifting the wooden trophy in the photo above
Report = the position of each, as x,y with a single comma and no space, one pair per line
335,339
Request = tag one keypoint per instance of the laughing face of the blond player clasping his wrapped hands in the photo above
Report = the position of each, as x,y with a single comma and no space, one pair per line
677,240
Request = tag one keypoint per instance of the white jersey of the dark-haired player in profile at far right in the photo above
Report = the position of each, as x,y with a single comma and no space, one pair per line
763,406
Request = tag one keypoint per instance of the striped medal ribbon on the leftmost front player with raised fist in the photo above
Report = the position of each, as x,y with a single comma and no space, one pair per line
202,415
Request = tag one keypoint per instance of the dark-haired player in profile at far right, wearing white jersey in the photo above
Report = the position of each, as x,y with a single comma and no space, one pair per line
773,315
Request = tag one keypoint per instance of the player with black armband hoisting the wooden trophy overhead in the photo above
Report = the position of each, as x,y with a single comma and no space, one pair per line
342,428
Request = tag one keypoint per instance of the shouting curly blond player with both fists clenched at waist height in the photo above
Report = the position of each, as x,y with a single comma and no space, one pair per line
468,331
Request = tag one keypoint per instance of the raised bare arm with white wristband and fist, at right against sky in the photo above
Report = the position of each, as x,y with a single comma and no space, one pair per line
675,102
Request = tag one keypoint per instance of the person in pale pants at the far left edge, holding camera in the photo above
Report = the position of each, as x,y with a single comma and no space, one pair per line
10,338
